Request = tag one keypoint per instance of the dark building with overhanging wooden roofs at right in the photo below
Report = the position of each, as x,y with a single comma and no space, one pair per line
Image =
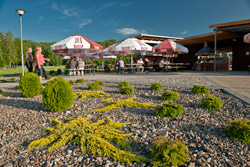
226,38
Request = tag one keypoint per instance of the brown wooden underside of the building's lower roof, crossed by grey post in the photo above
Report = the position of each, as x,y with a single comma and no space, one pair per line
209,37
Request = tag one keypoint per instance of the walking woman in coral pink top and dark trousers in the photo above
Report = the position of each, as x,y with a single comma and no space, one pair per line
39,60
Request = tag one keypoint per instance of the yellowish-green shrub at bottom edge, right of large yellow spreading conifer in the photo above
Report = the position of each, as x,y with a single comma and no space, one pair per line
168,153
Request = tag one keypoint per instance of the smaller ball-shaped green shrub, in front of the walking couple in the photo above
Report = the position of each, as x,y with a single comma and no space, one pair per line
30,85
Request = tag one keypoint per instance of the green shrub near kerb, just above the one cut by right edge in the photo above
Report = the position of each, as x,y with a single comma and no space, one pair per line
211,103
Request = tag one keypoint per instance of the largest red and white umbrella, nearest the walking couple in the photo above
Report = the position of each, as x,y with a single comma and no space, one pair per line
77,45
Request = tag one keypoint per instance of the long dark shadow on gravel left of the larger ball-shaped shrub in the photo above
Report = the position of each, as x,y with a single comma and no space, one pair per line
23,104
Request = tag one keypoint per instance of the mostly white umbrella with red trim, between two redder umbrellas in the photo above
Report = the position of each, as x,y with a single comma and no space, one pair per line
131,46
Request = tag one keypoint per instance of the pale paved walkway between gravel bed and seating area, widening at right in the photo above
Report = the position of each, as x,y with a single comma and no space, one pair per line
235,83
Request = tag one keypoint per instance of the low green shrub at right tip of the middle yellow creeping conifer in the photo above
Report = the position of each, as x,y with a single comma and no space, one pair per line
169,109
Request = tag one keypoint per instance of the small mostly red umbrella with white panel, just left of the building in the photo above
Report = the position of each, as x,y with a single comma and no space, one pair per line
170,47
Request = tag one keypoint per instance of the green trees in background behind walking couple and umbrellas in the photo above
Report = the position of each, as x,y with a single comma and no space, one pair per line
10,50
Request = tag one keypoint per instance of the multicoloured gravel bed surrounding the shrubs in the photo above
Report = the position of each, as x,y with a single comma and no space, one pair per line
23,119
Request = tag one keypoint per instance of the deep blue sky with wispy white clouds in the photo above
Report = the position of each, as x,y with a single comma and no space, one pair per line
98,20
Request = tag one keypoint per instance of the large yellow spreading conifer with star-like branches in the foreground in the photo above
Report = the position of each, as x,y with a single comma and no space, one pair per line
102,138
